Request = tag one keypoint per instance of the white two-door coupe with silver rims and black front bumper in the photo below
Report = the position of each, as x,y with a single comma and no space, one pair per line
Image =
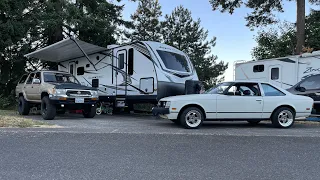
250,101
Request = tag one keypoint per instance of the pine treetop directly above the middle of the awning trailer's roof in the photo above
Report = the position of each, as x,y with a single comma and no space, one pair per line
146,21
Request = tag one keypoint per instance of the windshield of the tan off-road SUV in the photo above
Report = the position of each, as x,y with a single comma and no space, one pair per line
59,78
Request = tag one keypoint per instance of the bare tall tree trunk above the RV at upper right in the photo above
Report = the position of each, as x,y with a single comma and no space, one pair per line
301,18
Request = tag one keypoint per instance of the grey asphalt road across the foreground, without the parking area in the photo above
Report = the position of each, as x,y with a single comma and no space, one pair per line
65,155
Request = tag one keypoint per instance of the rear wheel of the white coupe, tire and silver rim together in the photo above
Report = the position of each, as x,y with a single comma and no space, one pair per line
287,113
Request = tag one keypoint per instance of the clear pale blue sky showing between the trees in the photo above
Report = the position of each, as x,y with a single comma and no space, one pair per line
235,41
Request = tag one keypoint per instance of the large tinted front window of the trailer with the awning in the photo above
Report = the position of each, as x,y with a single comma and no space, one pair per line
174,61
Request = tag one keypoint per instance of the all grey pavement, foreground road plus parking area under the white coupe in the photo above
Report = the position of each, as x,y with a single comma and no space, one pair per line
144,147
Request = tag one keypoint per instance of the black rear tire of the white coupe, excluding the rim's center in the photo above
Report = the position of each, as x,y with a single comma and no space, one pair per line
276,120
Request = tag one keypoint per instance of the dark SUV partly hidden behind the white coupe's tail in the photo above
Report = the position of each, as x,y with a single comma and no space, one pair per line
309,86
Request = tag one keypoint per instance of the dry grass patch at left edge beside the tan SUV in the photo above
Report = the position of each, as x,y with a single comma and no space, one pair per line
13,119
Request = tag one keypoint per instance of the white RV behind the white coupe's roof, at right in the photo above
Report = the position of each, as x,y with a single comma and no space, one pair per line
284,71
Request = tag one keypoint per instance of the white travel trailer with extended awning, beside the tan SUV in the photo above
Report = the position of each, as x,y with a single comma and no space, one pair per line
142,71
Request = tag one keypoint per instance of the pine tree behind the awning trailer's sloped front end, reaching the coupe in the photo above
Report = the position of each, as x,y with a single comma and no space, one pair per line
181,31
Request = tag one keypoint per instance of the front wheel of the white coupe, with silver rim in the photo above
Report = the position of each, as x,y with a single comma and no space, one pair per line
185,115
